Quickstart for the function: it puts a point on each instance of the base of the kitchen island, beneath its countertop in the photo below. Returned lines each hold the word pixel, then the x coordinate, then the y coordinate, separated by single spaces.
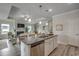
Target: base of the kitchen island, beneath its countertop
pixel 39 48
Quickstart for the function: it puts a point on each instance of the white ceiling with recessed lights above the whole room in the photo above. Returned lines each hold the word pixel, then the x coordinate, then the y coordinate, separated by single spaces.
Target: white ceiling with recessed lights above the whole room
pixel 35 11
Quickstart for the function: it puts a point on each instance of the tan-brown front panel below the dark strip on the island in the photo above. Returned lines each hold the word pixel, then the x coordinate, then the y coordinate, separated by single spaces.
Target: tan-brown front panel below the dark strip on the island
pixel 38 50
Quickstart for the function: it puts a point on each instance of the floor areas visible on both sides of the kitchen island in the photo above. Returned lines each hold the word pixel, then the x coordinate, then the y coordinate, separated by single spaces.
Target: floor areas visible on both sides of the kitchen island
pixel 61 50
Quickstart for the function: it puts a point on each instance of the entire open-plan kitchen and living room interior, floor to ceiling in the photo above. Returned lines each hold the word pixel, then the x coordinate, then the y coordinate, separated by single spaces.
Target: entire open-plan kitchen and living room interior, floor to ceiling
pixel 39 29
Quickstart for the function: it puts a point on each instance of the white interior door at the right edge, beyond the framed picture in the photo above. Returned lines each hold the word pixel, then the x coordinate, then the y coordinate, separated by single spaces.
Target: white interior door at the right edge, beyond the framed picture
pixel 74 32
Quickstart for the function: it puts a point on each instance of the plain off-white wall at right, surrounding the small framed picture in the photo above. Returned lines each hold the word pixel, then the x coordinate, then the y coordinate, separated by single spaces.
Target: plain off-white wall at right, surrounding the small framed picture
pixel 70 22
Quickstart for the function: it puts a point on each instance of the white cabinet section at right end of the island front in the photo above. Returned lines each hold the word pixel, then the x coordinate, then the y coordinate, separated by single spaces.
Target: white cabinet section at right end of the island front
pixel 50 45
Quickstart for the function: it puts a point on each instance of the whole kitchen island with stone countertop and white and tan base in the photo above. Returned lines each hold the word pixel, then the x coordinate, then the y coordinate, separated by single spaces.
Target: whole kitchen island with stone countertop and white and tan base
pixel 38 46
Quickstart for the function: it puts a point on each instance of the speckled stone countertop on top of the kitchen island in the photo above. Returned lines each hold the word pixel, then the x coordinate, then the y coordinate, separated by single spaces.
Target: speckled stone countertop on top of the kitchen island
pixel 32 40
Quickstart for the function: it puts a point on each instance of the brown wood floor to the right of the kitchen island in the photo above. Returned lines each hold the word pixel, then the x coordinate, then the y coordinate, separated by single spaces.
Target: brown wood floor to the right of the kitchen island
pixel 65 50
